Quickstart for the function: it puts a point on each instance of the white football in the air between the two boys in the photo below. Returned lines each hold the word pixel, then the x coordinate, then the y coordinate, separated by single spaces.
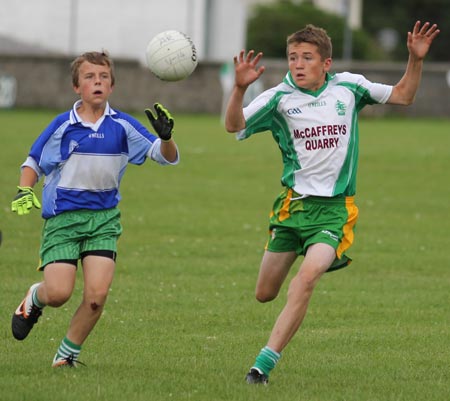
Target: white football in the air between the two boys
pixel 171 56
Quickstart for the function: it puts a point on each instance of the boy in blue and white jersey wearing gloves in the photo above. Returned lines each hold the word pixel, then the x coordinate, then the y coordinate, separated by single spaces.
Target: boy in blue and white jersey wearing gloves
pixel 83 155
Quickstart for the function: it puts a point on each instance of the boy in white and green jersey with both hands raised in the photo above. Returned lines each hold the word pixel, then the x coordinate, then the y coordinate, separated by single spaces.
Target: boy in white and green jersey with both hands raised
pixel 312 115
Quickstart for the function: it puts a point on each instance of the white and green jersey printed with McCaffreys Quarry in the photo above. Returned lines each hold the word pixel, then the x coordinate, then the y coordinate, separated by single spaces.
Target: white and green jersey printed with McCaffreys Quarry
pixel 317 131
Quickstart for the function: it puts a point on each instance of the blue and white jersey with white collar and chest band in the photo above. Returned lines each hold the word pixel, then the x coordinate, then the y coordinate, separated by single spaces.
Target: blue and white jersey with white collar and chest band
pixel 83 163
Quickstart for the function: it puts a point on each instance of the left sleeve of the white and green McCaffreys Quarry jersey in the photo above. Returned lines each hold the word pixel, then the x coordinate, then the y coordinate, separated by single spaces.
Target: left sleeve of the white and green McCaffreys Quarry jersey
pixel 259 114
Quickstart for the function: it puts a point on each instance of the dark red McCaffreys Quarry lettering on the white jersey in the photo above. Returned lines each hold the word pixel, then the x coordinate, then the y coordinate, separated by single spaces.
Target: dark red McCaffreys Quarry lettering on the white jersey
pixel 321 136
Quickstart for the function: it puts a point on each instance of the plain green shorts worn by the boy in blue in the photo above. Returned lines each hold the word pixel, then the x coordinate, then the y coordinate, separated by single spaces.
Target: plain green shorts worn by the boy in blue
pixel 69 234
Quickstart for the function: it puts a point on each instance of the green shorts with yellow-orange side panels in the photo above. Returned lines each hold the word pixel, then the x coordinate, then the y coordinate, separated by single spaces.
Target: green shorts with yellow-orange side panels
pixel 296 223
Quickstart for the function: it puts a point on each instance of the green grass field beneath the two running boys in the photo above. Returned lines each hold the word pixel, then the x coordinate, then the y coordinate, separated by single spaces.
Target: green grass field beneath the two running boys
pixel 181 322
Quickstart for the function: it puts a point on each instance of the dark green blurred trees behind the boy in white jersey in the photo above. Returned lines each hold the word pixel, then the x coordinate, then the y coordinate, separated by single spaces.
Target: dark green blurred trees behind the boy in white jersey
pixel 383 37
